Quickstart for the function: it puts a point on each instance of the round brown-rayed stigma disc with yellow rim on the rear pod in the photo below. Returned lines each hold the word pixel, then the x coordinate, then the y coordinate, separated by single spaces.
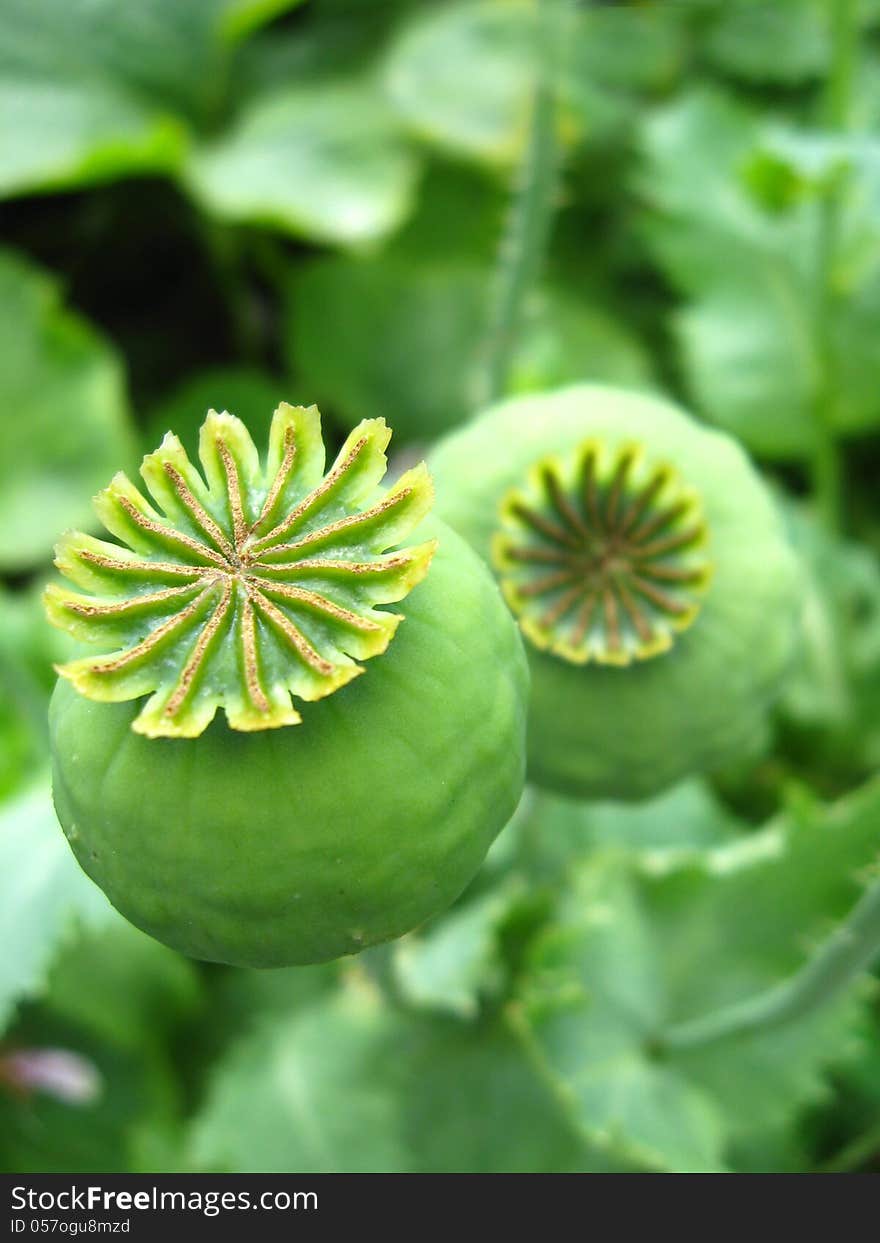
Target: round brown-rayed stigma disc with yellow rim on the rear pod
pixel 603 559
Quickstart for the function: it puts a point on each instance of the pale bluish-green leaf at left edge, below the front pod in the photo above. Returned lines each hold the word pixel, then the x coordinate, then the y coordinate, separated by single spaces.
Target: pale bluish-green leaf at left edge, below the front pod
pixel 45 893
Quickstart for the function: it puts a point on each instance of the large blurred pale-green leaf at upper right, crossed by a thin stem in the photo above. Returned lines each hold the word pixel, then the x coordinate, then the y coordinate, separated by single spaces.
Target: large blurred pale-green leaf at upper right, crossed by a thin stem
pixel 736 218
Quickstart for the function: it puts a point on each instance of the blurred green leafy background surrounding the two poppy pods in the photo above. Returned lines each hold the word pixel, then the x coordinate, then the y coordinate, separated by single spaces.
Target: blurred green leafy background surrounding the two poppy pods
pixel 237 202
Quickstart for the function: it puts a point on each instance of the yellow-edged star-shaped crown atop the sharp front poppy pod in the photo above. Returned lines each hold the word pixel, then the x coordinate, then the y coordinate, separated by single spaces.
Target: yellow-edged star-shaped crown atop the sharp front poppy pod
pixel 244 587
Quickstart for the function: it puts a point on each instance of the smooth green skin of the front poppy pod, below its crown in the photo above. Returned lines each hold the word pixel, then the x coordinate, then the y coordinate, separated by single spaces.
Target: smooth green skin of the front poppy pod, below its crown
pixel 315 841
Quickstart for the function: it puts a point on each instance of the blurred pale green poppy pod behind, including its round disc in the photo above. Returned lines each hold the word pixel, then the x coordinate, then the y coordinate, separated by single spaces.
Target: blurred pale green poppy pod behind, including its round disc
pixel 644 561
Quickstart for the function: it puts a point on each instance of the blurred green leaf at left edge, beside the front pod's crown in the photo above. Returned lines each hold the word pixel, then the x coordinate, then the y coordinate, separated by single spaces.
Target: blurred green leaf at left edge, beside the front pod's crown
pixel 64 428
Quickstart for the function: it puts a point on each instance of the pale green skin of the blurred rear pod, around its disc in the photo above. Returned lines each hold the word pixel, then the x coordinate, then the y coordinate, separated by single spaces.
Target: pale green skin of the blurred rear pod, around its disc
pixel 631 733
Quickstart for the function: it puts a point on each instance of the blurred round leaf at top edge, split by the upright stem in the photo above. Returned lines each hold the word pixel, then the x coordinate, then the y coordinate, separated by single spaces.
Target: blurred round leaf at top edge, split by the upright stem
pixel 463 76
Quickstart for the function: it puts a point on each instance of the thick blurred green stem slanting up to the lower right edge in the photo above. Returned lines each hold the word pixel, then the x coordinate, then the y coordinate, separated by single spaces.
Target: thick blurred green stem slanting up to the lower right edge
pixel 852 949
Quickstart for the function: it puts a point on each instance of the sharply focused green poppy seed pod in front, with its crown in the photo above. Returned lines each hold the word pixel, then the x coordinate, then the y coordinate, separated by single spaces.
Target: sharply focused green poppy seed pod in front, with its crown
pixel 227 770
